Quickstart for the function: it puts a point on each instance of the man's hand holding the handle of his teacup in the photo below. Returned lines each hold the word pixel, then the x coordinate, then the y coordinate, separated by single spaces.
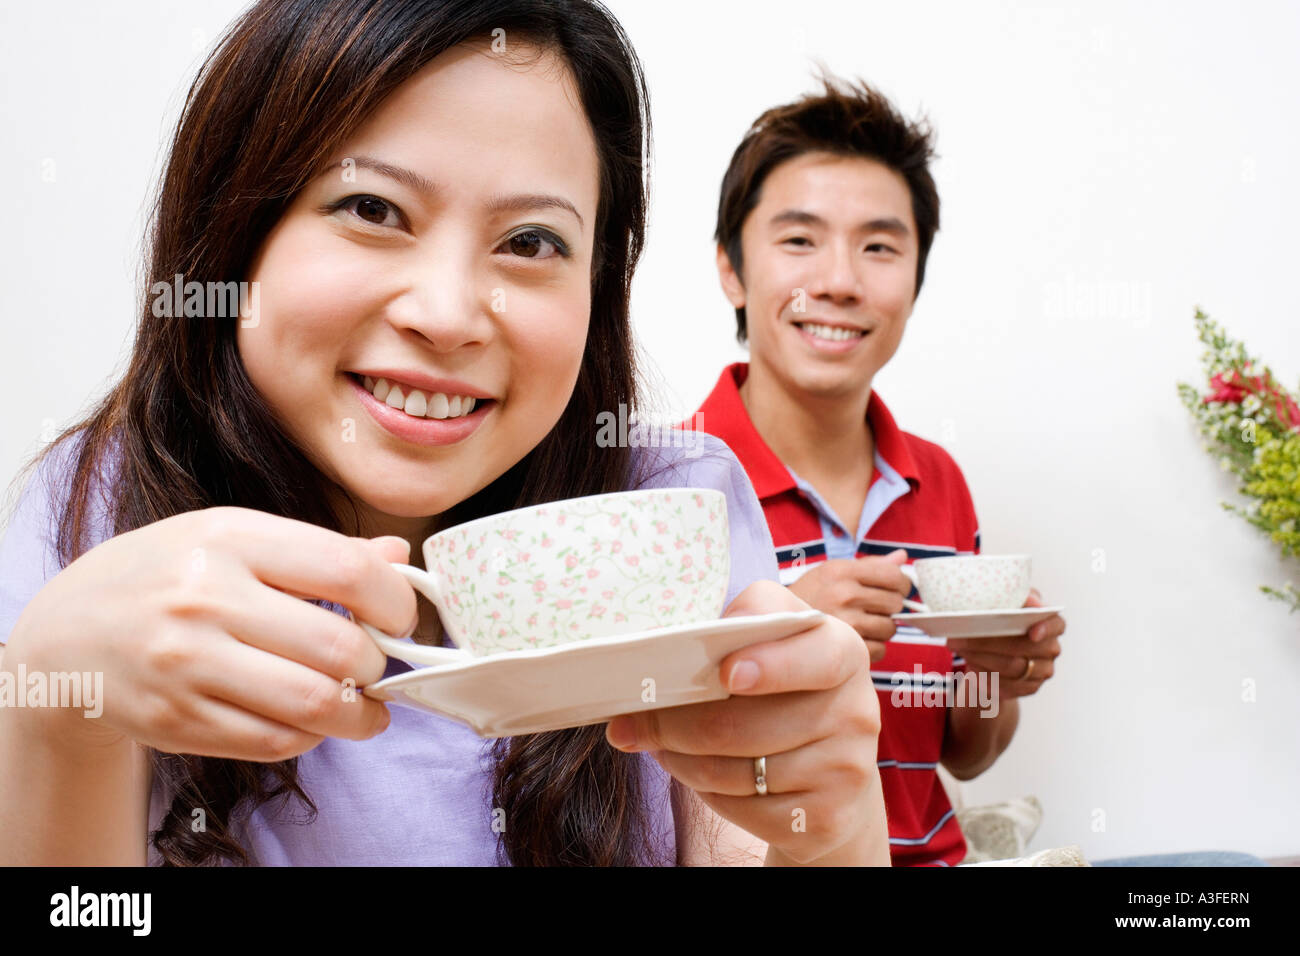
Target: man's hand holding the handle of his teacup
pixel 863 592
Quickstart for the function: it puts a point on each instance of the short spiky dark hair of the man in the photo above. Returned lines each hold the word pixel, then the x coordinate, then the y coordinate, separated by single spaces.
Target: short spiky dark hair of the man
pixel 847 120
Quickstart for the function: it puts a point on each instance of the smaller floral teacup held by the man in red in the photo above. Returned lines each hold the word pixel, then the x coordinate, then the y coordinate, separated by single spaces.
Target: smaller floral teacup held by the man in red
pixel 970 582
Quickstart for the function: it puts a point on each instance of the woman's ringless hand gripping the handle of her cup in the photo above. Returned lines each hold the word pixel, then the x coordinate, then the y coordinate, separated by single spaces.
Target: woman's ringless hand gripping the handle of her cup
pixel 203 642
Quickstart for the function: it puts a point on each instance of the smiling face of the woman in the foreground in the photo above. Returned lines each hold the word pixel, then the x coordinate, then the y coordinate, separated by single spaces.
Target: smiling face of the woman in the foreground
pixel 448 250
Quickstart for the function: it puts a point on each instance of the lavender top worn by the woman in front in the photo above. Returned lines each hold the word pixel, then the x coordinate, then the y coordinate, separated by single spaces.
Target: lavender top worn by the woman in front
pixel 421 793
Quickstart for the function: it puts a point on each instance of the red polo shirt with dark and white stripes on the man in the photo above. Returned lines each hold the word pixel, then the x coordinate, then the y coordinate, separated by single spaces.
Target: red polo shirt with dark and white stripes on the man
pixel 917 500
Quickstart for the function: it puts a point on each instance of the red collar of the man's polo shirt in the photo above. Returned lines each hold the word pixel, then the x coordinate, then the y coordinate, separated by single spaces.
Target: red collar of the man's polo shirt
pixel 725 416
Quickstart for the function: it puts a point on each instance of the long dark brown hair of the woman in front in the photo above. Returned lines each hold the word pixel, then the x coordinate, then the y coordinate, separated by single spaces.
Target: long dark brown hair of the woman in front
pixel 281 93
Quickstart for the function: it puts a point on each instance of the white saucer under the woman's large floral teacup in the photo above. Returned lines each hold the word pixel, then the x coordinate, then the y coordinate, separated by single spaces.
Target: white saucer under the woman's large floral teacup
pixel 590 682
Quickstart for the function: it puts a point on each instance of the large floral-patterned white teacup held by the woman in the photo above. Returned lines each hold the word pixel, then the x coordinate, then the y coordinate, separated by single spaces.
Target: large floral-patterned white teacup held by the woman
pixel 573 570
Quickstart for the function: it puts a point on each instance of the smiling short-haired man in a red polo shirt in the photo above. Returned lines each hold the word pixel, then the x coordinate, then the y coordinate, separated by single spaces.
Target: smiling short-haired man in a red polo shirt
pixel 826 218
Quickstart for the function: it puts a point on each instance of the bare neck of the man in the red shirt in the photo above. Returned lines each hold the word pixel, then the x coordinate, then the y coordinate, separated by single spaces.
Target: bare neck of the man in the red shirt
pixel 813 436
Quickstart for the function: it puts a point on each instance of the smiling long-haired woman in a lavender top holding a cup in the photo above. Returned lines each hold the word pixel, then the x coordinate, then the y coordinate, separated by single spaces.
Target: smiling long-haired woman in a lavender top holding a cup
pixel 434 204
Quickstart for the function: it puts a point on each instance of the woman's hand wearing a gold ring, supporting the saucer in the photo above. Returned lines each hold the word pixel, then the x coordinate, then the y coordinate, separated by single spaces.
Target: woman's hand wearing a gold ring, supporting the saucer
pixel 808 706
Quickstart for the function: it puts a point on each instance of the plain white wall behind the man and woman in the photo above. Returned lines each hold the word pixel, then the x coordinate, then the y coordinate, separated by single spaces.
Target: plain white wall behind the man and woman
pixel 1104 170
